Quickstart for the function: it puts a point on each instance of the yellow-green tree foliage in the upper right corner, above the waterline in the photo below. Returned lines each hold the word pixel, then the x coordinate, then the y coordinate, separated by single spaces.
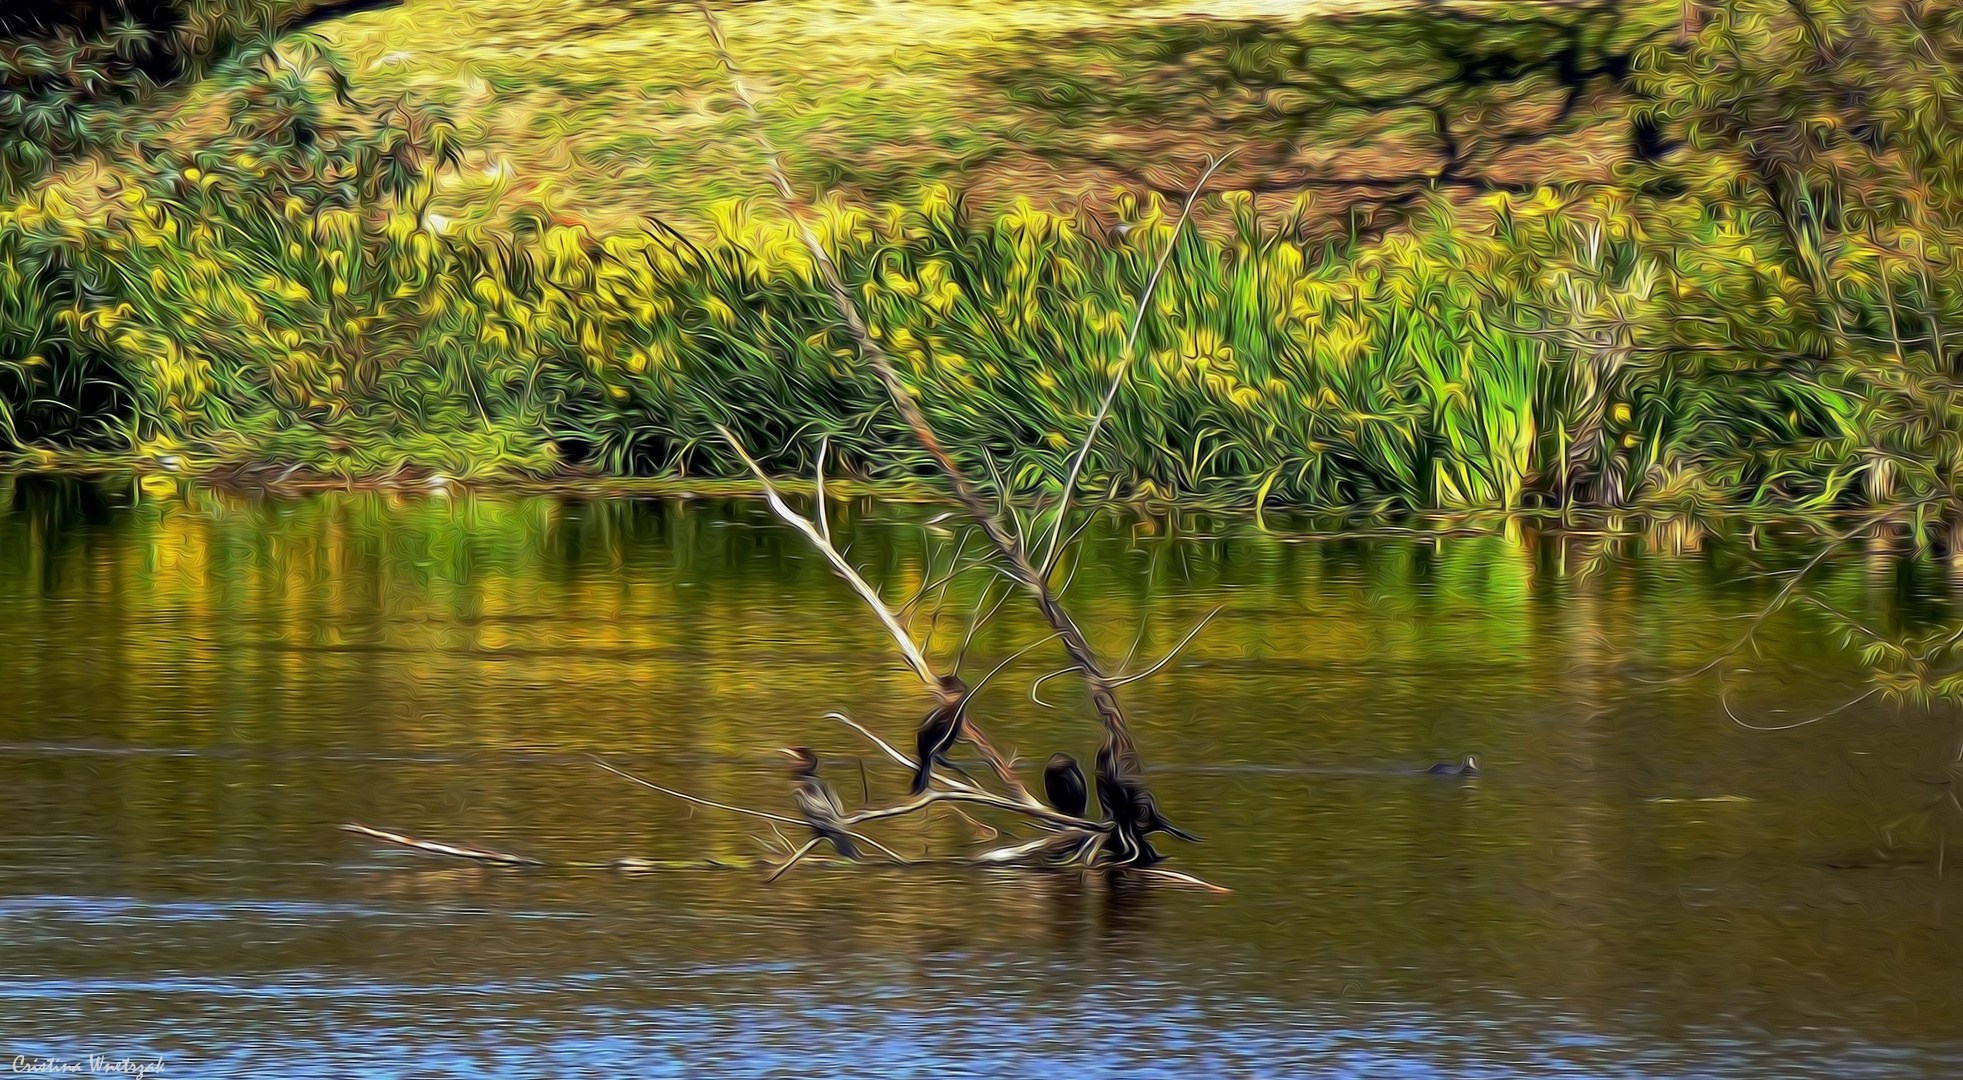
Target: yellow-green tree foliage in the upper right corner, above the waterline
pixel 1830 131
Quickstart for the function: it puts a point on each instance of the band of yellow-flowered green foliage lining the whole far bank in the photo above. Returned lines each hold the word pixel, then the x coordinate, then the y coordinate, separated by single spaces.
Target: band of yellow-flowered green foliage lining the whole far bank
pixel 1760 317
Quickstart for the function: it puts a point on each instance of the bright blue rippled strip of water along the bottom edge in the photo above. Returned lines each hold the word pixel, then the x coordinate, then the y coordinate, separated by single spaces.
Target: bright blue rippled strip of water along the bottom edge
pixel 317 1024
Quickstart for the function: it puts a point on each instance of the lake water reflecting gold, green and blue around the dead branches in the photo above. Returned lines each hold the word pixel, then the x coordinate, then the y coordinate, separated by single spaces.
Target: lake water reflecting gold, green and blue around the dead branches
pixel 197 690
